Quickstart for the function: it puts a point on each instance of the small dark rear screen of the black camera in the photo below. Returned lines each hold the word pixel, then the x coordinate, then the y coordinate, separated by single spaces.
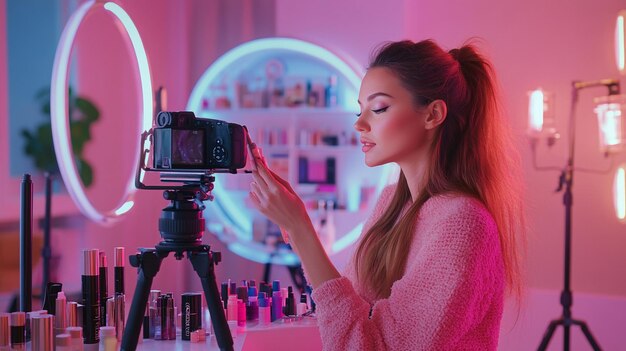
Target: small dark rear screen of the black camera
pixel 187 147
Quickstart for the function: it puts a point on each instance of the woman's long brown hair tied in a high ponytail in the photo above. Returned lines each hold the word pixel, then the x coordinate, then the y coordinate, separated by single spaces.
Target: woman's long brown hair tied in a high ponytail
pixel 471 154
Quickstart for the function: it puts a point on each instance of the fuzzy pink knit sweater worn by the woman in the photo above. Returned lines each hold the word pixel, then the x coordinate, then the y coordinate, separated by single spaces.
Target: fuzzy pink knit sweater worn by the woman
pixel 449 298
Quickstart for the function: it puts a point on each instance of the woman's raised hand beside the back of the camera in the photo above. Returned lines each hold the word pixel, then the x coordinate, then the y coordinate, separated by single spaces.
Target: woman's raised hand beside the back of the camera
pixel 274 197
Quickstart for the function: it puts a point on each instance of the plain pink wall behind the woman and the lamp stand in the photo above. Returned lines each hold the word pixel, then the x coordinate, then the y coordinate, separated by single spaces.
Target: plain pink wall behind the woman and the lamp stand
pixel 548 44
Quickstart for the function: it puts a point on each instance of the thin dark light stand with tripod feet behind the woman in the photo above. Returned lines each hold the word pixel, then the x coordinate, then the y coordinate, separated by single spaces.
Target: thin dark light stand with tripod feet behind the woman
pixel 566 181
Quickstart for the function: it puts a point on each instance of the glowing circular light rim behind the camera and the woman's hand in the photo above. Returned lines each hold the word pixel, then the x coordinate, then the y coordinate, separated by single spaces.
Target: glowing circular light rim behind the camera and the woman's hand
pixel 230 211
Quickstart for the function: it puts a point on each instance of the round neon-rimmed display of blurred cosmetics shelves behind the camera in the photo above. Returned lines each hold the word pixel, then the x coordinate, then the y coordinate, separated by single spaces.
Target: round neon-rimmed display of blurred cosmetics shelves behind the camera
pixel 313 146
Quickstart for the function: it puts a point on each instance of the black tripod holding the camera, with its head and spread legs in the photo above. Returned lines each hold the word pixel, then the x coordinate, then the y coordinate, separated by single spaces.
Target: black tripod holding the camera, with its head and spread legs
pixel 181 226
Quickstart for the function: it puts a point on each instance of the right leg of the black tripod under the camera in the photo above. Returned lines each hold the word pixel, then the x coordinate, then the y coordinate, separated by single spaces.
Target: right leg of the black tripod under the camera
pixel 203 265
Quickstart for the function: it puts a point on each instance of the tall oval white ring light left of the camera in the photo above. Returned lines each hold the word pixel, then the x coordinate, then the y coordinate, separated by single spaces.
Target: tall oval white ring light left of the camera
pixel 59 107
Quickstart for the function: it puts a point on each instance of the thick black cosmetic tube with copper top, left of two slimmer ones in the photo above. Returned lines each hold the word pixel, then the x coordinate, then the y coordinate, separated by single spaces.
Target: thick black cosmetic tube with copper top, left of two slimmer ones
pixel 91 301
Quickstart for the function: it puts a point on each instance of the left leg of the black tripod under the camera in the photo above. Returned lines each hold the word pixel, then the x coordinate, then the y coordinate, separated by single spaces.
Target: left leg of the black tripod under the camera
pixel 148 262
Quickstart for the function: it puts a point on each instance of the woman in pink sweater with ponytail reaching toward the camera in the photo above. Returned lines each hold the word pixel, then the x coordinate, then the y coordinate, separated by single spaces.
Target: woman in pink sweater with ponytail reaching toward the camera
pixel 438 254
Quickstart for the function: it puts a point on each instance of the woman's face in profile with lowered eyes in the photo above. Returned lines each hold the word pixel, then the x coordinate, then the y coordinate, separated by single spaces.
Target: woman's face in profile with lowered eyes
pixel 391 125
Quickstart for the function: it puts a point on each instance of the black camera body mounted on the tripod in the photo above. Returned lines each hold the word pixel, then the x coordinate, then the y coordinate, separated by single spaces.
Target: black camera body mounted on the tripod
pixel 184 142
